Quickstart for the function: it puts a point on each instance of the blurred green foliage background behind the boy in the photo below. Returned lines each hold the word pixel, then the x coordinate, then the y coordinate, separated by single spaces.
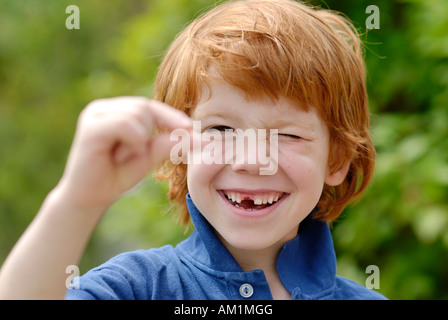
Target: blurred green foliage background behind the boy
pixel 49 73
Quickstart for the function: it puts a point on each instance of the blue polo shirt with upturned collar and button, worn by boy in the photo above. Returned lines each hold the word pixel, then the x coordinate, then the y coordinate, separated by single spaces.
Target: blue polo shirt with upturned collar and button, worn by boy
pixel 201 267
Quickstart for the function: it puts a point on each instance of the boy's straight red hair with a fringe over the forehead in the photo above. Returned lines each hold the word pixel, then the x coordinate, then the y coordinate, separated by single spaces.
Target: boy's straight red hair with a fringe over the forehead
pixel 278 48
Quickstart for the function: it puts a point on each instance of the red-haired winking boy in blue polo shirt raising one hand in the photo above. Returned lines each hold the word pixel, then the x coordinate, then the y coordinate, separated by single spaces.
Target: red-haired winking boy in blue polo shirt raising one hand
pixel 278 66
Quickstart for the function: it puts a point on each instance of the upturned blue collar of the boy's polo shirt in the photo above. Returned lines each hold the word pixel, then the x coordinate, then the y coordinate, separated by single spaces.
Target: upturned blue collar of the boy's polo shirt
pixel 306 263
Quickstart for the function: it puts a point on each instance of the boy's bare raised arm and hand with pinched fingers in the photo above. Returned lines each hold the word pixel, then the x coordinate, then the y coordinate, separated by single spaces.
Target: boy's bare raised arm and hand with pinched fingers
pixel 113 149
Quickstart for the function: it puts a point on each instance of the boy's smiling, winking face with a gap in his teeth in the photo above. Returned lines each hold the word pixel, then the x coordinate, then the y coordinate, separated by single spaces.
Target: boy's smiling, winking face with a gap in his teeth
pixel 216 189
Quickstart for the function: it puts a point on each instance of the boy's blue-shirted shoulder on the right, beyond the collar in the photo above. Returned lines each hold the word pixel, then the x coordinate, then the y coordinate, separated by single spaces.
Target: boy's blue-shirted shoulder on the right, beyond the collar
pixel 346 289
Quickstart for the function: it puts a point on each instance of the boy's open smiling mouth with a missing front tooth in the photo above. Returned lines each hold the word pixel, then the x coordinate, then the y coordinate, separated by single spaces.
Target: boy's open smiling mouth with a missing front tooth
pixel 252 202
